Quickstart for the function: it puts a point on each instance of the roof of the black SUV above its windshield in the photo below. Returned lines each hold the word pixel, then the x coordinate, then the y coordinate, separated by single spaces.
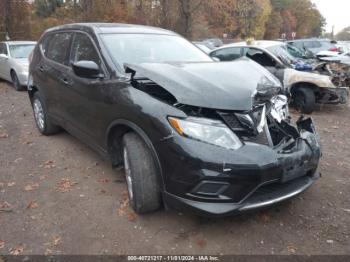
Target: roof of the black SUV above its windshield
pixel 112 28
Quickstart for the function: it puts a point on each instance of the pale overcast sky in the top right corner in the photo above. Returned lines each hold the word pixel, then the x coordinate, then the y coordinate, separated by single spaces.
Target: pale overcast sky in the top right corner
pixel 336 12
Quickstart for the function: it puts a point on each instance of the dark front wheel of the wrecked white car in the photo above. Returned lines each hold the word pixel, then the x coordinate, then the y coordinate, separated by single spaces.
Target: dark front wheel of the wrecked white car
pixel 304 100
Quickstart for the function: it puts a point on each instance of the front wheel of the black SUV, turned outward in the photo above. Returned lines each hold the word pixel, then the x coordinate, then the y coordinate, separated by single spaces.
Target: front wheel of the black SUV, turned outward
pixel 142 176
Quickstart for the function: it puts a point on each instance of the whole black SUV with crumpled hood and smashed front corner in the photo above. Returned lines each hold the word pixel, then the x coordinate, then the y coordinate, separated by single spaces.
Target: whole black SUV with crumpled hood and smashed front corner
pixel 189 131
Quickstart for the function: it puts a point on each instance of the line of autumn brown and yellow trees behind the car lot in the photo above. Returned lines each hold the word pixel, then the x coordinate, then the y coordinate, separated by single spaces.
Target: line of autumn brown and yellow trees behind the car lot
pixel 195 19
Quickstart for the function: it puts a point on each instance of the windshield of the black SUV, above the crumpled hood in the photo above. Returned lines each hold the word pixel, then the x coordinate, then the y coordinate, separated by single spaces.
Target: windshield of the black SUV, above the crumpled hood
pixel 151 48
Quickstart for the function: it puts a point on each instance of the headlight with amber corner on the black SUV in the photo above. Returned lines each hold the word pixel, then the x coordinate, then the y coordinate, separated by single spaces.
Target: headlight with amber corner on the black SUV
pixel 206 130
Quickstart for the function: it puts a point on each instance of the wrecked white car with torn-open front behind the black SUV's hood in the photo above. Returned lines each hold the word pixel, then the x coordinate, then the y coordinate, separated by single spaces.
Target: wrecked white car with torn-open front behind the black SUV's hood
pixel 306 88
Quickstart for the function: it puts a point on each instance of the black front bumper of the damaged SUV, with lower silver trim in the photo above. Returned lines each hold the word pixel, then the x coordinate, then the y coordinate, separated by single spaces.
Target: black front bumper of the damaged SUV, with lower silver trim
pixel 211 182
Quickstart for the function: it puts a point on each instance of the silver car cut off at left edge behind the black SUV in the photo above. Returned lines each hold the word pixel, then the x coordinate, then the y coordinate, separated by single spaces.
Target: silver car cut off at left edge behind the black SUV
pixel 14 62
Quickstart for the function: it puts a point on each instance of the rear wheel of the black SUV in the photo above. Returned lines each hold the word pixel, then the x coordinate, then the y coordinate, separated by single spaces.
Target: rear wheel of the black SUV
pixel 42 119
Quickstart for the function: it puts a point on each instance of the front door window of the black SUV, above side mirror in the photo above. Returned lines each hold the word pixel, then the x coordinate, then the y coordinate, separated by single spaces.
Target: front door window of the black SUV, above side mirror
pixel 84 50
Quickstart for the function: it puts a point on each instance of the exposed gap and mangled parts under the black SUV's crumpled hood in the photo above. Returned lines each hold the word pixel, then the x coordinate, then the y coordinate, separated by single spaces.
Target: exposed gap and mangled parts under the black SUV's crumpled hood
pixel 268 123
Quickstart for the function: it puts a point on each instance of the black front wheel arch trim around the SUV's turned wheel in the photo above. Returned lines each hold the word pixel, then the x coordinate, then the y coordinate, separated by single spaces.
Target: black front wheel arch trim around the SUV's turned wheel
pixel 114 137
